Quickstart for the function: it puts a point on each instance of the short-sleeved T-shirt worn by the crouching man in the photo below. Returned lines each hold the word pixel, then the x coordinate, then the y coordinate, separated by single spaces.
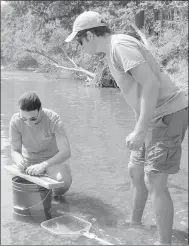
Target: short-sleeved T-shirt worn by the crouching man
pixel 39 143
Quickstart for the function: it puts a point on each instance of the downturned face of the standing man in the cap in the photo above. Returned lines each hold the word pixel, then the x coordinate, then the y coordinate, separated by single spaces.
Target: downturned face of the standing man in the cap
pixel 88 42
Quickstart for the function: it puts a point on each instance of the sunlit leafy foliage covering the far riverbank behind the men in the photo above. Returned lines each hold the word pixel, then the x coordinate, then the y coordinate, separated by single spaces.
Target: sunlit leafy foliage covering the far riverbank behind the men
pixel 44 25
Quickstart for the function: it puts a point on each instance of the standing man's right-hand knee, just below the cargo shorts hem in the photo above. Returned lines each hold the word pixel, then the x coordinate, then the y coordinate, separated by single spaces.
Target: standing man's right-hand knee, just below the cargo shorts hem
pixel 156 183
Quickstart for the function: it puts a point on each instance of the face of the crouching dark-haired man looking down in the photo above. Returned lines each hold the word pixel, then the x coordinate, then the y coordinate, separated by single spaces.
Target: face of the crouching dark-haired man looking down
pixel 29 117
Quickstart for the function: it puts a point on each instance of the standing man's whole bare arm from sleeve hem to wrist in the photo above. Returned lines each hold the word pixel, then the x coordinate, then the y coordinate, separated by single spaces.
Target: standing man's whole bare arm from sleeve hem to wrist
pixel 143 74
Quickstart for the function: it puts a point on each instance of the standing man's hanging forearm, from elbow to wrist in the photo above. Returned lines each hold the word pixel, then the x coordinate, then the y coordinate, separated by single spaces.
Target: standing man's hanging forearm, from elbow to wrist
pixel 147 108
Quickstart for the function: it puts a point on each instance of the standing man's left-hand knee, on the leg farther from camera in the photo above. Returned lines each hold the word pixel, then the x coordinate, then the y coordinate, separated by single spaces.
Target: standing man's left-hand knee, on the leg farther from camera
pixel 136 173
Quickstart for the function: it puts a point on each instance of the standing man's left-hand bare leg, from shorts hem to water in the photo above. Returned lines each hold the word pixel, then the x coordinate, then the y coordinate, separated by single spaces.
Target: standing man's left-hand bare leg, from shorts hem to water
pixel 140 192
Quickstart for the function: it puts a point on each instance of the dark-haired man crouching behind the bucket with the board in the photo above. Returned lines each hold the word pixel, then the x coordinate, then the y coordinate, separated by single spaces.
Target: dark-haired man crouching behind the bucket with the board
pixel 39 143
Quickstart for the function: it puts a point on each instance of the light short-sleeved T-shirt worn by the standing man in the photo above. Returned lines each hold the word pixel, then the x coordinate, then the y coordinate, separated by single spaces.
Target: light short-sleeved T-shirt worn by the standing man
pixel 126 53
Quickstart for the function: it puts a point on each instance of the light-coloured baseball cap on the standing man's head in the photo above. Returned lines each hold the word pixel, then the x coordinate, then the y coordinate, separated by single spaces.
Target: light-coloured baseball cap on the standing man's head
pixel 86 20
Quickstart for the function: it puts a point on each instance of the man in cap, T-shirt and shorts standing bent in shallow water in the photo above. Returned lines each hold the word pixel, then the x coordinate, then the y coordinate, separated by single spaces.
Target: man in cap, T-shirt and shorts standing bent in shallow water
pixel 161 110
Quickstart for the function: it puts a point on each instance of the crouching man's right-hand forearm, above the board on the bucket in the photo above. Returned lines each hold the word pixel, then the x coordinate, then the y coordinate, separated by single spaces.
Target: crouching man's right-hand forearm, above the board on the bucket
pixel 59 158
